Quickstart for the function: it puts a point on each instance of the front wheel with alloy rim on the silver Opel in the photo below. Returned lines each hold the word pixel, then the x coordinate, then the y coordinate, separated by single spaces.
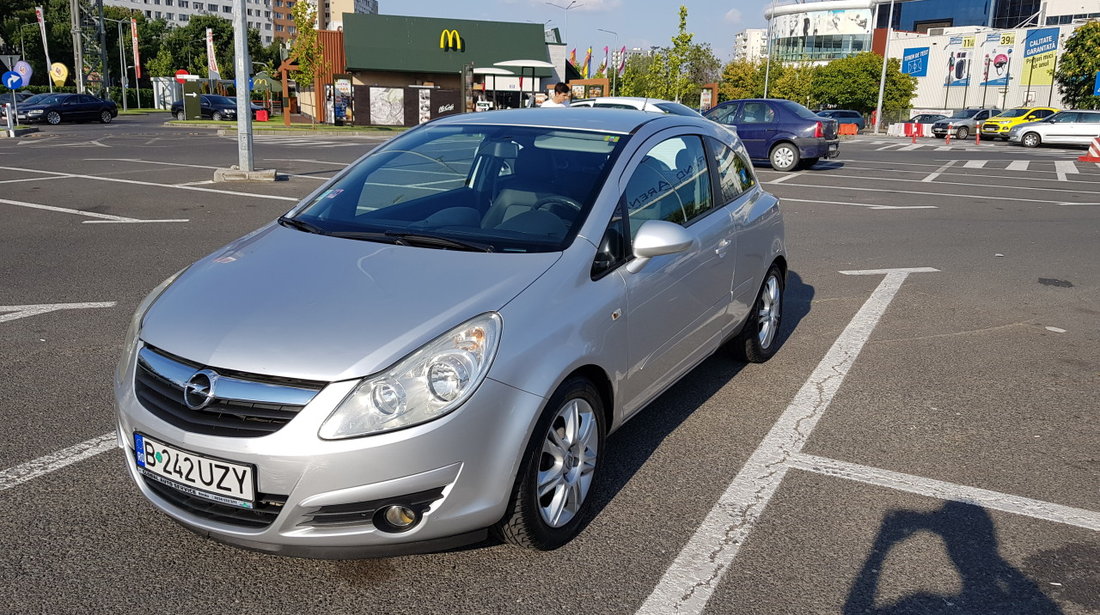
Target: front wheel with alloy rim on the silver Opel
pixel 559 470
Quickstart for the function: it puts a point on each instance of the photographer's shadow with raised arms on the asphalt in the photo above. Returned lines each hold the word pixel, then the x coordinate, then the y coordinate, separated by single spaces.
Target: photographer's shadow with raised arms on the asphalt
pixel 989 585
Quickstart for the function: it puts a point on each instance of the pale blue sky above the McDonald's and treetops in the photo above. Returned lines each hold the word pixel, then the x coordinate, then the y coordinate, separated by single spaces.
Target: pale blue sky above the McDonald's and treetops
pixel 640 24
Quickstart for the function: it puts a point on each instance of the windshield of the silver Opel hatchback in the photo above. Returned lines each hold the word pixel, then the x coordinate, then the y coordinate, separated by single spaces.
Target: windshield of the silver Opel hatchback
pixel 493 188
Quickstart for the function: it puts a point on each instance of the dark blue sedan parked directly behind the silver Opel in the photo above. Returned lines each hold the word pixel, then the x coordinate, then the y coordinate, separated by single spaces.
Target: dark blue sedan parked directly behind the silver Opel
pixel 783 133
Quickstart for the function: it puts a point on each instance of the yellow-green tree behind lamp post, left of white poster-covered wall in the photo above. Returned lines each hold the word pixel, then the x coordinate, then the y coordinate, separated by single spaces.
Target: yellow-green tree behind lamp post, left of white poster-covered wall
pixel 853 83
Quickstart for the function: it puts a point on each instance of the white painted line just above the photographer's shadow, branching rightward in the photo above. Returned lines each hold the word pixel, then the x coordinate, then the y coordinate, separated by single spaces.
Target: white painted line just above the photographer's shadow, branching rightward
pixel 940 490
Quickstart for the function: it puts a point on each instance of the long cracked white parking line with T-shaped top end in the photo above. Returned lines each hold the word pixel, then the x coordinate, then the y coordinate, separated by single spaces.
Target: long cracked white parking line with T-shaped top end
pixel 691 580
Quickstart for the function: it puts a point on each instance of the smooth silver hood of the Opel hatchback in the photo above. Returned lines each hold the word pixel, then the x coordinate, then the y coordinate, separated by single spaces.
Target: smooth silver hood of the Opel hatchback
pixel 292 304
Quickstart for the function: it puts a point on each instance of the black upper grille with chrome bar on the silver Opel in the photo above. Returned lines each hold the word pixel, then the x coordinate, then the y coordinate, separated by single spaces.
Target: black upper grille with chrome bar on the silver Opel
pixel 163 396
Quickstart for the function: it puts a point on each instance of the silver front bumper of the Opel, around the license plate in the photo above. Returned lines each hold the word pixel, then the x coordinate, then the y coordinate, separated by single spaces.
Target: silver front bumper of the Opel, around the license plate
pixel 468 460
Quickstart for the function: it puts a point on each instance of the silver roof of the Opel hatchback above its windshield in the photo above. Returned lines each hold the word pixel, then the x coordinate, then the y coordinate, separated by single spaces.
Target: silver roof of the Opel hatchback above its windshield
pixel 623 122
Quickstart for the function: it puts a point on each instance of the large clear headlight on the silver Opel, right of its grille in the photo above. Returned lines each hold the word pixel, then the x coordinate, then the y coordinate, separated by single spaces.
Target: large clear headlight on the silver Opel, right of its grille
pixel 424 387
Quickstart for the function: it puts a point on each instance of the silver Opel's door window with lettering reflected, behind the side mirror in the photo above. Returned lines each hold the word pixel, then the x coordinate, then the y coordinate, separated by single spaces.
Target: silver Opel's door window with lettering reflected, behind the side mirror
pixel 672 184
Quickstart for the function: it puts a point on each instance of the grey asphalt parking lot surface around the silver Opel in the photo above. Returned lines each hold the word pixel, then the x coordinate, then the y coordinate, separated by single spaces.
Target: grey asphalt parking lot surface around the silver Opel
pixel 927 441
